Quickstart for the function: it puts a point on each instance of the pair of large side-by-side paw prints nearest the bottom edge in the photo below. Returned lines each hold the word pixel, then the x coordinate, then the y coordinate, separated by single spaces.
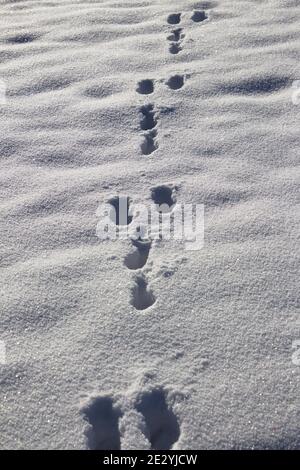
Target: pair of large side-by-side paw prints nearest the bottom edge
pixel 157 422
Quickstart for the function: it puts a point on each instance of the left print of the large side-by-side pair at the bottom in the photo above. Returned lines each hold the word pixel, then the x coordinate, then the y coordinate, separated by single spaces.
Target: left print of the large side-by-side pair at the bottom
pixel 104 431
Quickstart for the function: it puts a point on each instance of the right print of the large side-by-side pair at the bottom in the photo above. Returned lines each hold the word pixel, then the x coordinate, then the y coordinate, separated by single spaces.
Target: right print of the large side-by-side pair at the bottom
pixel 162 425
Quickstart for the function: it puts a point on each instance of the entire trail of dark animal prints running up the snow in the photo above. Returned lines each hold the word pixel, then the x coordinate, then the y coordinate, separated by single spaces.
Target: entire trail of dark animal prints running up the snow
pixel 161 424
